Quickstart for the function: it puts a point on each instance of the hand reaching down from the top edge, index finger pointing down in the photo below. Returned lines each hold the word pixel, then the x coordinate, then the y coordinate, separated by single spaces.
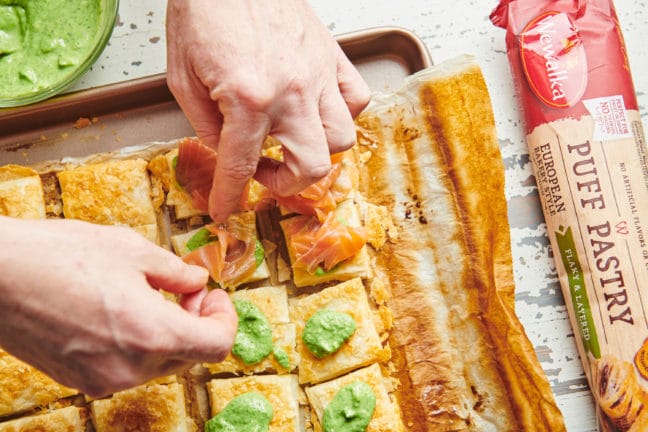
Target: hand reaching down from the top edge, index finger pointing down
pixel 242 70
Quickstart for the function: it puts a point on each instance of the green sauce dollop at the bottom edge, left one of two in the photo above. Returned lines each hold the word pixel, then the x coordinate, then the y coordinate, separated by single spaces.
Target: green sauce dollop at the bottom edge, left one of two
pixel 249 412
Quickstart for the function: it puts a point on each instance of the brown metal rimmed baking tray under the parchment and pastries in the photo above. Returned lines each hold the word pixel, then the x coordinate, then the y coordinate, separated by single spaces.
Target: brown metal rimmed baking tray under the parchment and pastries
pixel 143 110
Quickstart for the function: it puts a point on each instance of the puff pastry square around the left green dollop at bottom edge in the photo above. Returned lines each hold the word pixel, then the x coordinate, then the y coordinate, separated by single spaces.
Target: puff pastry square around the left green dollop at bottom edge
pixel 282 391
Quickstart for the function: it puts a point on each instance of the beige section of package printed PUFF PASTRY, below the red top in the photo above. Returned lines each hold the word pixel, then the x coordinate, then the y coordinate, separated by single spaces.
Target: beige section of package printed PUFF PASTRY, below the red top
pixel 592 191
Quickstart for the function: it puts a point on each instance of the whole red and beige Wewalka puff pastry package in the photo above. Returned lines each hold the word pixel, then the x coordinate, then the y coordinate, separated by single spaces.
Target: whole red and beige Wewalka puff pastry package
pixel 586 143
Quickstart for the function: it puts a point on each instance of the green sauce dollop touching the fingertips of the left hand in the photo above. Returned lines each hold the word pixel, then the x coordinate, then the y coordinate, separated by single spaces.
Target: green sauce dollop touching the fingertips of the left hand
pixel 253 340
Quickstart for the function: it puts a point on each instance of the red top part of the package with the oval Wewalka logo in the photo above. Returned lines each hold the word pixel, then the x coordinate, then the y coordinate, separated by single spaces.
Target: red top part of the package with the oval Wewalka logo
pixel 592 64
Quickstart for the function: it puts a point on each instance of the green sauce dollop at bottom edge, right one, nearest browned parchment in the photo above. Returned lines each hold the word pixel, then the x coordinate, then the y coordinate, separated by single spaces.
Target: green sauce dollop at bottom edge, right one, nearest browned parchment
pixel 351 409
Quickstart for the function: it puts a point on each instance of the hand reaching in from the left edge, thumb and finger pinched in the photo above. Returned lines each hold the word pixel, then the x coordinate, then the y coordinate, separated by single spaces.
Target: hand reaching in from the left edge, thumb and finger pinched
pixel 77 302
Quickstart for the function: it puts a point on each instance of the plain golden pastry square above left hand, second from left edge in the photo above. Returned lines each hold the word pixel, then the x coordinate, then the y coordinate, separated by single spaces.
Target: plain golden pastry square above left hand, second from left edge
pixel 117 192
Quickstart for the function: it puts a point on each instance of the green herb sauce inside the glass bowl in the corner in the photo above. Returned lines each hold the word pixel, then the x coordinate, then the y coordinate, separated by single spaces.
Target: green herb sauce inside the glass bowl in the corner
pixel 43 41
